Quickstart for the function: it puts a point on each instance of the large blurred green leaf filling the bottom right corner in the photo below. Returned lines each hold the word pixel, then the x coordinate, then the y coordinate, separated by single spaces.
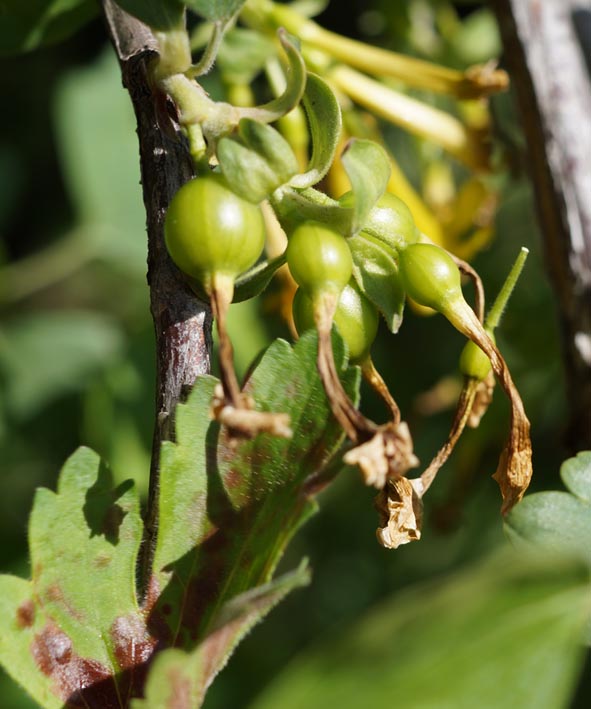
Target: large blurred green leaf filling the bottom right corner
pixel 508 631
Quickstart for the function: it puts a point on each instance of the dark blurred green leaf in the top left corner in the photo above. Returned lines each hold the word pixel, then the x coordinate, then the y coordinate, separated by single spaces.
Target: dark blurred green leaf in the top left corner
pixel 28 25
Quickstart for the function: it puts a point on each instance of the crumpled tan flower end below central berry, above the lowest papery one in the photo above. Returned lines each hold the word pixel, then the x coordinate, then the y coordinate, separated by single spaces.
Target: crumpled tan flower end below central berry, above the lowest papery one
pixel 388 454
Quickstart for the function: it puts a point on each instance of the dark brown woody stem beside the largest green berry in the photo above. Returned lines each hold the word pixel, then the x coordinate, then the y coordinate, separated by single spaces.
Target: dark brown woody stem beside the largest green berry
pixel 182 323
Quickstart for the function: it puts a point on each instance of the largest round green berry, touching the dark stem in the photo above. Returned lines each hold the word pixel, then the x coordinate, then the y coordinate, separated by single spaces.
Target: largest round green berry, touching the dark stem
pixel 211 230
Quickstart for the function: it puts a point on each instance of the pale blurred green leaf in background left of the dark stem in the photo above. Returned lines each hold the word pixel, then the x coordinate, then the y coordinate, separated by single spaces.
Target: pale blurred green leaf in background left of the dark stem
pixel 95 128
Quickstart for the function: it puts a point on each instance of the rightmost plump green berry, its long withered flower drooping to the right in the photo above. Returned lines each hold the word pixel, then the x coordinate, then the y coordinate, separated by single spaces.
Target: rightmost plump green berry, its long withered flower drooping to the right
pixel 430 277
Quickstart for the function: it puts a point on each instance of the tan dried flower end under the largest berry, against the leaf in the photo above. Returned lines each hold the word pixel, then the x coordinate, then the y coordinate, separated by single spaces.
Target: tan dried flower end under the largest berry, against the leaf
pixel 244 420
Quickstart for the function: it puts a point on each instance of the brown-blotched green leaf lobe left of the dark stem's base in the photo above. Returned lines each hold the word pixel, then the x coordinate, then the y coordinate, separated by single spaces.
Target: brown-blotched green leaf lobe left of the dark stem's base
pixel 77 625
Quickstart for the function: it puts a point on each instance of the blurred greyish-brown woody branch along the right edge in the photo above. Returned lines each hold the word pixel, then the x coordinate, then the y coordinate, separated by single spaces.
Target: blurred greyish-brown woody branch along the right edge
pixel 547 62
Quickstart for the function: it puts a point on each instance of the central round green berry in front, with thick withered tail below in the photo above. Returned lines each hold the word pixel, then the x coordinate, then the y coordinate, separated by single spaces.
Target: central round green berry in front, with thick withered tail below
pixel 319 258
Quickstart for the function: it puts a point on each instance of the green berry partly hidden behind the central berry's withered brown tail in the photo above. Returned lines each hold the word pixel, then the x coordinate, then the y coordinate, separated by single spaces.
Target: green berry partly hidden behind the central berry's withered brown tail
pixel 355 318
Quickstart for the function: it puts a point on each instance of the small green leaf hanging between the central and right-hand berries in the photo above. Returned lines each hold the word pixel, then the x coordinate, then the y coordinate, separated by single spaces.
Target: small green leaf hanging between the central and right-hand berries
pixel 376 274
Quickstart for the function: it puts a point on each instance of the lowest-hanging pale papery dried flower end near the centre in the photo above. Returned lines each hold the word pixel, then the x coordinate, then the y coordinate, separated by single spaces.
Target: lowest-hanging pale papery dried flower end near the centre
pixel 401 513
